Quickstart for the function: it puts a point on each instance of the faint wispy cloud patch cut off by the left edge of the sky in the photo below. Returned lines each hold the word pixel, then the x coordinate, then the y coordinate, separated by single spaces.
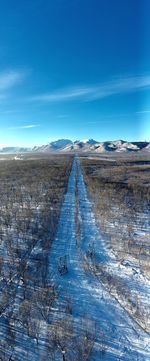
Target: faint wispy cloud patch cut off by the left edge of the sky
pixel 9 79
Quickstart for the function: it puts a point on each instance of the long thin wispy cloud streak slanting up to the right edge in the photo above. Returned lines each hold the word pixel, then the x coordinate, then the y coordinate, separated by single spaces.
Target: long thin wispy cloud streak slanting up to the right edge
pixel 91 93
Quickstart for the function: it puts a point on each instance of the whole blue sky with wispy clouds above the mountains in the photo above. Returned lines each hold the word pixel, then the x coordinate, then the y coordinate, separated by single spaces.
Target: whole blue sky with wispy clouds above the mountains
pixel 75 69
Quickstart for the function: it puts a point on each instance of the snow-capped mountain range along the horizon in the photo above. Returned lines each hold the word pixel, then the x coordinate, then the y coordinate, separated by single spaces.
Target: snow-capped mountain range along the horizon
pixel 89 145
